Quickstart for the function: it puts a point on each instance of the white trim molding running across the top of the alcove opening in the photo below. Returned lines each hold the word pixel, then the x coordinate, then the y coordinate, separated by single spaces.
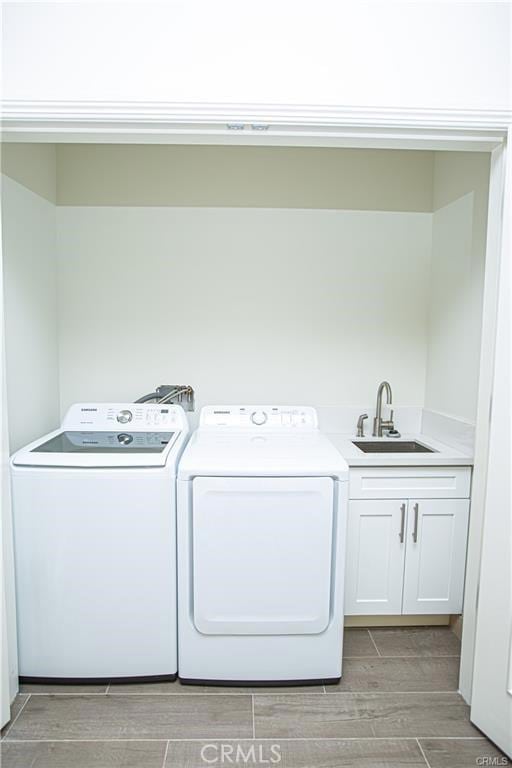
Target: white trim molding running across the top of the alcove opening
pixel 257 124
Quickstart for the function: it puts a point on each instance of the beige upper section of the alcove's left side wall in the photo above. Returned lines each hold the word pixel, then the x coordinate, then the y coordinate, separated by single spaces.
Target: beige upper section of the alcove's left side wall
pixel 32 165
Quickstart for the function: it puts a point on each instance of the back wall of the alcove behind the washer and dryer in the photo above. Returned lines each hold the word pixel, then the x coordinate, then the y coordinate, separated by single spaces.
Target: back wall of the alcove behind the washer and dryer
pixel 299 294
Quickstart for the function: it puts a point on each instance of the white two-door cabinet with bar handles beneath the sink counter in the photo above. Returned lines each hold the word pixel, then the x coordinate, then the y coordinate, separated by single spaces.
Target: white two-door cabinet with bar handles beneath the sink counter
pixel 406 555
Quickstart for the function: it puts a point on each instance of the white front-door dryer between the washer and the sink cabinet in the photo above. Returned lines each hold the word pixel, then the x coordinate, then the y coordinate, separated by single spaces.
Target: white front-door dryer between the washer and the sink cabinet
pixel 262 509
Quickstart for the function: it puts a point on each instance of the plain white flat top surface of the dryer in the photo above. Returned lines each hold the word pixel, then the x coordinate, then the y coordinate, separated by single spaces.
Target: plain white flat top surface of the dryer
pixel 226 453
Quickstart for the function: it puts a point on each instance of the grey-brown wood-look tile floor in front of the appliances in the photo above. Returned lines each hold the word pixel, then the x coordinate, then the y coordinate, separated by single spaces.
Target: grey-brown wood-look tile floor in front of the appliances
pixel 396 706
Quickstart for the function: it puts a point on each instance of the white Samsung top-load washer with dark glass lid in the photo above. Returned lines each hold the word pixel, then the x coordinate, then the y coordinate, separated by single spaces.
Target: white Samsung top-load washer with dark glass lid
pixel 94 509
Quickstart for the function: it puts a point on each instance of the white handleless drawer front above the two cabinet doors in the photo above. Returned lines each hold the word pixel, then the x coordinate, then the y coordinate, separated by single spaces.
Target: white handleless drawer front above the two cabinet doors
pixel 420 482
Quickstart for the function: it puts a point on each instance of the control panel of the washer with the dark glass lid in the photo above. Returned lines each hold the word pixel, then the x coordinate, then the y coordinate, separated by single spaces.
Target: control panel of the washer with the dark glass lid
pixel 125 417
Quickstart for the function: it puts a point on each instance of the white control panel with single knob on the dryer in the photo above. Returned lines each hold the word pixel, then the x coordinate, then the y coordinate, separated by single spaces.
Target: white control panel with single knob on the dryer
pixel 270 417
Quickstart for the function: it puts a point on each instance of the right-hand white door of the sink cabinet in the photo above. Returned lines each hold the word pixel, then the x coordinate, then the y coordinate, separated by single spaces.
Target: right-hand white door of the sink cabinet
pixel 436 555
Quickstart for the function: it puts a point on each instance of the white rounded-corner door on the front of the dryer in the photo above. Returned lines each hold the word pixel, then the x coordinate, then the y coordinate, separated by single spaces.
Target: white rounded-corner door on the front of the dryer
pixel 262 555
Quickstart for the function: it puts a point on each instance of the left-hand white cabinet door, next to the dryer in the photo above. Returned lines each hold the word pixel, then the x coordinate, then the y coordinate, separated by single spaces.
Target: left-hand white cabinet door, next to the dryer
pixel 375 556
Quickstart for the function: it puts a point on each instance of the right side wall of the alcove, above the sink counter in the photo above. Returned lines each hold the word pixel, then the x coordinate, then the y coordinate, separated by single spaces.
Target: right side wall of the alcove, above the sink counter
pixel 459 228
